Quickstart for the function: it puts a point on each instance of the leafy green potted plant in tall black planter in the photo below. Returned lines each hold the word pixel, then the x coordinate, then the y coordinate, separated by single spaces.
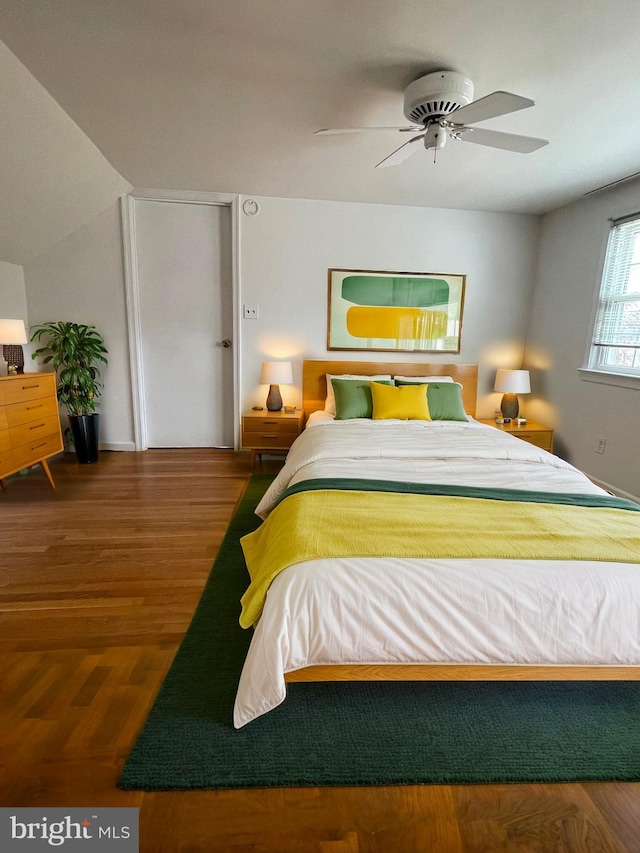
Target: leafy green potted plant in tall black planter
pixel 75 352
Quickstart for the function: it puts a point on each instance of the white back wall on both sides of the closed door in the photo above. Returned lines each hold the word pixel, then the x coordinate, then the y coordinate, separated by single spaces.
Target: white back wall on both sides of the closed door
pixel 285 252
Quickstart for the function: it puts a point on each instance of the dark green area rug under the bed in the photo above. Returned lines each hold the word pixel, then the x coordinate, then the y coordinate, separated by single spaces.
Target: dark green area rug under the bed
pixel 366 733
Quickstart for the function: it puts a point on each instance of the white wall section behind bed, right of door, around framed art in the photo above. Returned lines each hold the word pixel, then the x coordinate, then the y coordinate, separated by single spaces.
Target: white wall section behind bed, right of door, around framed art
pixel 289 246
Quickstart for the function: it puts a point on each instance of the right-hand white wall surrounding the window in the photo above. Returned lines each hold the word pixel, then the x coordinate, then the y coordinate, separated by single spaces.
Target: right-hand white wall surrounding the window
pixel 573 242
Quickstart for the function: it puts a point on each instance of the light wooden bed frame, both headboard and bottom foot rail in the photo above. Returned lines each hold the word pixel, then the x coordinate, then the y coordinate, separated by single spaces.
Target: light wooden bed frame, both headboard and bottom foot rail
pixel 314 389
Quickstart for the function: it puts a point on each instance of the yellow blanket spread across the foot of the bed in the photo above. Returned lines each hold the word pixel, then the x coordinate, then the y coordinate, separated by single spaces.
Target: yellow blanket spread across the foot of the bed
pixel 330 523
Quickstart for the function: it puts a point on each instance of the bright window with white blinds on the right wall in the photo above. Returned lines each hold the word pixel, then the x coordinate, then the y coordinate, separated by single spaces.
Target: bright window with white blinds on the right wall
pixel 616 337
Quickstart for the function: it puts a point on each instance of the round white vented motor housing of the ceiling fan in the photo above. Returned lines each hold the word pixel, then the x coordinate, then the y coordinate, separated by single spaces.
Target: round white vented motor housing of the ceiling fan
pixel 436 95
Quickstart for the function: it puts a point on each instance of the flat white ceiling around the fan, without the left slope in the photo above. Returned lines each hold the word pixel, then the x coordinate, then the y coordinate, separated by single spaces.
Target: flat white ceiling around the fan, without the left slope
pixel 224 95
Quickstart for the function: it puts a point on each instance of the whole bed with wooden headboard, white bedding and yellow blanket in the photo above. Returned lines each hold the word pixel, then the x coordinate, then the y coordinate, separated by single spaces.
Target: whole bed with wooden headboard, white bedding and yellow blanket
pixel 481 557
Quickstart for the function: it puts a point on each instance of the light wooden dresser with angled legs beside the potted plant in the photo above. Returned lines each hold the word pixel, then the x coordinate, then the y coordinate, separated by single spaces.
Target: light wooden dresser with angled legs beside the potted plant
pixel 29 423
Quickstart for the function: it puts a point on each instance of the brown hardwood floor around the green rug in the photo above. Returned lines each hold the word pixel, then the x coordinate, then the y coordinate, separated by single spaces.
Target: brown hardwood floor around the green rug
pixel 99 579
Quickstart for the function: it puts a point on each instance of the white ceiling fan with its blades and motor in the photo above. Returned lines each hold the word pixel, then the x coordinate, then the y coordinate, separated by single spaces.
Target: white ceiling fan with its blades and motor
pixel 441 106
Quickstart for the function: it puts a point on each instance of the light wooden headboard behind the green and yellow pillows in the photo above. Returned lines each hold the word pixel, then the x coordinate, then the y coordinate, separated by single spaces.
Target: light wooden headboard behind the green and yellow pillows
pixel 314 382
